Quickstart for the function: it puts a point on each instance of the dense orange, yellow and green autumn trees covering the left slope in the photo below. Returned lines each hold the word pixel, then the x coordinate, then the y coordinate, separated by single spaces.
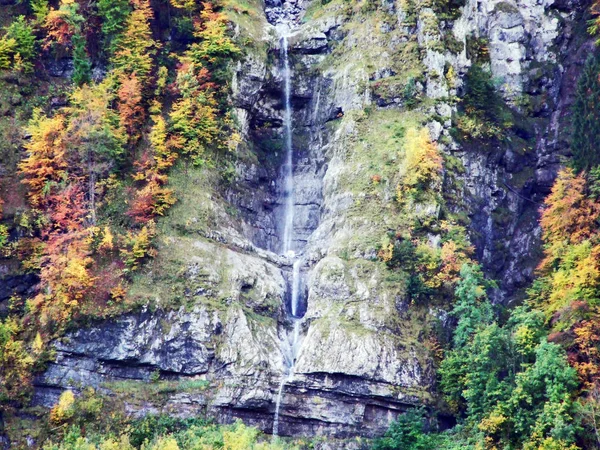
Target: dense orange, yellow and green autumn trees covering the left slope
pixel 96 162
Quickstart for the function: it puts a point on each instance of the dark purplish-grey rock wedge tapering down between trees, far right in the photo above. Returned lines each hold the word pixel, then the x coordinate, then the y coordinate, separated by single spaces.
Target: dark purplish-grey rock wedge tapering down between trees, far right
pixel 534 55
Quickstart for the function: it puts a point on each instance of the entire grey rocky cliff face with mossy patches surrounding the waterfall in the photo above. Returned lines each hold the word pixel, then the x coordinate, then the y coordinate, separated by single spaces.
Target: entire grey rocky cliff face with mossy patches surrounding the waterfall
pixel 217 297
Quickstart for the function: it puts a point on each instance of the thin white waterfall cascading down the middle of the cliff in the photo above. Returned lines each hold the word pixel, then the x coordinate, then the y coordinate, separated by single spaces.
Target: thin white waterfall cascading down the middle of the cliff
pixel 292 341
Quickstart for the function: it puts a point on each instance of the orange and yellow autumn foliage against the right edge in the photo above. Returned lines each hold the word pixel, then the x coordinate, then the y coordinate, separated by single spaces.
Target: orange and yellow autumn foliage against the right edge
pixel 571 269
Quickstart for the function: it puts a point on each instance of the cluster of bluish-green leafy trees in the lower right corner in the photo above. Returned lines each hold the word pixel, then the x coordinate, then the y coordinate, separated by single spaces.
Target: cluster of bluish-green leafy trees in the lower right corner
pixel 510 384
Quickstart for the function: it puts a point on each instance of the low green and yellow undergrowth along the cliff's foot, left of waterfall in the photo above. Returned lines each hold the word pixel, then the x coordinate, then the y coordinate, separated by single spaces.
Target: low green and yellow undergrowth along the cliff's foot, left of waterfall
pixel 94 421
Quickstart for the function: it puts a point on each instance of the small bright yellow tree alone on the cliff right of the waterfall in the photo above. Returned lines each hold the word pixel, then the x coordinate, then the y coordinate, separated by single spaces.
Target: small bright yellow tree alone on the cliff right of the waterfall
pixel 422 165
